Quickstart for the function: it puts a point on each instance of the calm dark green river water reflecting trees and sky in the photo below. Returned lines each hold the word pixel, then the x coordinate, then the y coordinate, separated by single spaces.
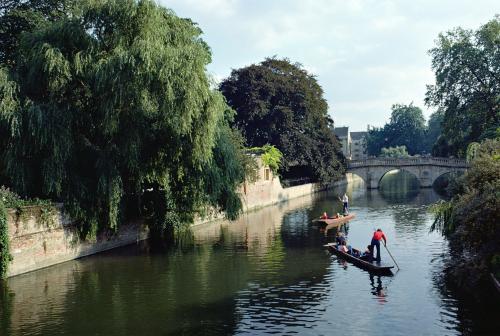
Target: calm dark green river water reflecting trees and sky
pixel 266 273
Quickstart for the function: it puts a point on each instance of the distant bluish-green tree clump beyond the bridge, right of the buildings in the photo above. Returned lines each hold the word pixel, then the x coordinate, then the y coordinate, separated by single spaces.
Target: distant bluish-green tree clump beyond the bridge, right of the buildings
pixel 406 128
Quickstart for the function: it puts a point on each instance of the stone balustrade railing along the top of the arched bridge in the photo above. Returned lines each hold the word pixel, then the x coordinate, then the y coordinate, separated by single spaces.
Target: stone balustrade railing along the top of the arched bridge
pixel 412 161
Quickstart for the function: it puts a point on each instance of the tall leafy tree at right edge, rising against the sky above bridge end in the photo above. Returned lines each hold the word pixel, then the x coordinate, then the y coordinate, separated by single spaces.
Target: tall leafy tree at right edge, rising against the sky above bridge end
pixel 467 69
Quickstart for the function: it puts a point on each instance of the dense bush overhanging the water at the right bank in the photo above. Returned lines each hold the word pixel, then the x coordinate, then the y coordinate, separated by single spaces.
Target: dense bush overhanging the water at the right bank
pixel 470 219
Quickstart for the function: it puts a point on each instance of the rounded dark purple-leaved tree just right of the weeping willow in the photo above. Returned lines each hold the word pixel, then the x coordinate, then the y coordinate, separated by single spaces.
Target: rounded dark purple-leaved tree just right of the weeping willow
pixel 279 103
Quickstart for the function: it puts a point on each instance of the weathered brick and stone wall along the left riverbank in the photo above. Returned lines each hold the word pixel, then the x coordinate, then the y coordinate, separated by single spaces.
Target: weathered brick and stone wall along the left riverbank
pixel 38 241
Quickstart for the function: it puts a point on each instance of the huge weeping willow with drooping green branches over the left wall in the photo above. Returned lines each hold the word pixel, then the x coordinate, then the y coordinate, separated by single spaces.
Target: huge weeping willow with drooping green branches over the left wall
pixel 110 111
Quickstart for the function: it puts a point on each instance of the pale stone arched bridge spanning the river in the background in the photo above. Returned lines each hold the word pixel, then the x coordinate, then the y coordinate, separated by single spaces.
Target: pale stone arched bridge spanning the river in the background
pixel 426 169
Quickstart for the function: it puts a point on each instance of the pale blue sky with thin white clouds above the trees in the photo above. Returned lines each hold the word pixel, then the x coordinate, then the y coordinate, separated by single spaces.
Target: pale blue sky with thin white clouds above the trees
pixel 367 55
